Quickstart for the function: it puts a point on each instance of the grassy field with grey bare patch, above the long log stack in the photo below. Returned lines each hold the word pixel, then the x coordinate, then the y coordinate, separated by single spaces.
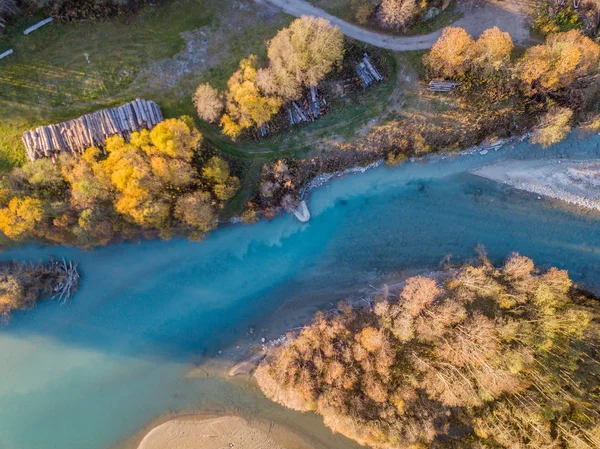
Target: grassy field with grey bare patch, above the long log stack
pixel 64 70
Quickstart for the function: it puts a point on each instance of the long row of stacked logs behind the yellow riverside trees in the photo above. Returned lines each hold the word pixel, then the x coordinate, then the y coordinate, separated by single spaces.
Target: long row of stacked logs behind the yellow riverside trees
pixel 90 130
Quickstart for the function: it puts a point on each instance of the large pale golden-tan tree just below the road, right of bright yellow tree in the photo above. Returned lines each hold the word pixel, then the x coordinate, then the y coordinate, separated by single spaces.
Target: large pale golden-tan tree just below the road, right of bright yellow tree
pixel 302 54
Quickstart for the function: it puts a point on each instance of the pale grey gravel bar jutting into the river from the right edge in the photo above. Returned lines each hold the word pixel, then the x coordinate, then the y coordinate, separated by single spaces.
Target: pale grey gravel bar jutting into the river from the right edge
pixel 575 182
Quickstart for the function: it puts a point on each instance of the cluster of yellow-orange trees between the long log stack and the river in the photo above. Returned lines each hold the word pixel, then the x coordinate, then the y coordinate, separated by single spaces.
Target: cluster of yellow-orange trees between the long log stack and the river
pixel 150 184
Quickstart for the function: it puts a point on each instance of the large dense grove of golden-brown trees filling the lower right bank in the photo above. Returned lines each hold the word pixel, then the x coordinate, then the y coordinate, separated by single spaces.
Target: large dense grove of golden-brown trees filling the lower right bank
pixel 485 358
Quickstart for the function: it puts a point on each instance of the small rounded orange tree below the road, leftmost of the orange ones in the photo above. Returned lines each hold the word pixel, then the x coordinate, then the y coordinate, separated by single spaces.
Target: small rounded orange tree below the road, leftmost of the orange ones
pixel 449 56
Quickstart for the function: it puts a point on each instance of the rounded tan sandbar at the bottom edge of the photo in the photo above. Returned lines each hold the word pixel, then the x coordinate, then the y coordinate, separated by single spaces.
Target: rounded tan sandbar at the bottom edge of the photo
pixel 197 432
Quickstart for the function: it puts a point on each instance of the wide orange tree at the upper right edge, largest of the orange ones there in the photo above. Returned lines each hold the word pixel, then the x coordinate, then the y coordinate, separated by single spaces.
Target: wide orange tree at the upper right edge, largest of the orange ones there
pixel 554 65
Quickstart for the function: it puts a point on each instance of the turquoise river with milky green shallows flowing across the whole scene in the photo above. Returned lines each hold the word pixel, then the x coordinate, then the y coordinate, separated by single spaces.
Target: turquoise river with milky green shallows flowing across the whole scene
pixel 92 373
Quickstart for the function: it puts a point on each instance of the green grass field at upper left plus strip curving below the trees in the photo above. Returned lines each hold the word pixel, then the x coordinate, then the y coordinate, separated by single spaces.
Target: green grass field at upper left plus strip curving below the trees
pixel 64 70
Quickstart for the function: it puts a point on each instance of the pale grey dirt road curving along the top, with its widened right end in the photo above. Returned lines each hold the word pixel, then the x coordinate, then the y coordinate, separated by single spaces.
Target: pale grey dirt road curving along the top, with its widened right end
pixel 508 15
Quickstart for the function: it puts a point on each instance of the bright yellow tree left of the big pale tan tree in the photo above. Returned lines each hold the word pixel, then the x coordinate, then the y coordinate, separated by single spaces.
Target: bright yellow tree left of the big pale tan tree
pixel 246 105
